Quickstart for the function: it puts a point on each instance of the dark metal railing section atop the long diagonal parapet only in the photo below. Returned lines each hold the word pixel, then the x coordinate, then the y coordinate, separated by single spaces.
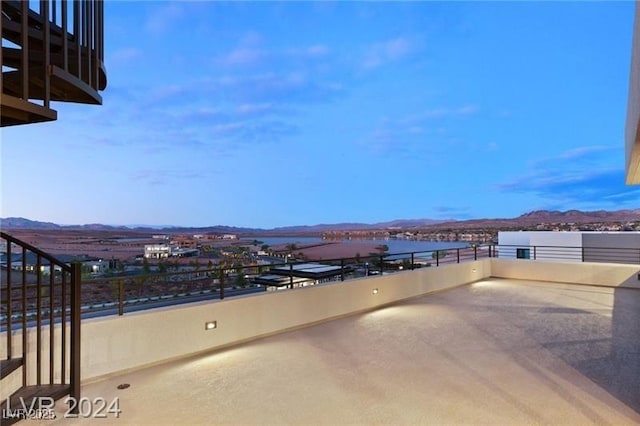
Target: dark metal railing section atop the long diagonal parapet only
pixel 127 293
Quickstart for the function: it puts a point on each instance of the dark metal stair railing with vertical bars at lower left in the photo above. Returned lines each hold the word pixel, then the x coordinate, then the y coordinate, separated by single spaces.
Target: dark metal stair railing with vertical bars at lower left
pixel 34 301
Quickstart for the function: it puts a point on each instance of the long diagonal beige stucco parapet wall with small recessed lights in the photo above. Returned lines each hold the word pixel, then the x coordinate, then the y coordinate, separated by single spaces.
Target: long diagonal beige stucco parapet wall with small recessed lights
pixel 117 344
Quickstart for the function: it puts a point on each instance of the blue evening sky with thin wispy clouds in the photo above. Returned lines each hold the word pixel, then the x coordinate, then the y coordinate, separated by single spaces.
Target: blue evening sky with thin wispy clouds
pixel 272 114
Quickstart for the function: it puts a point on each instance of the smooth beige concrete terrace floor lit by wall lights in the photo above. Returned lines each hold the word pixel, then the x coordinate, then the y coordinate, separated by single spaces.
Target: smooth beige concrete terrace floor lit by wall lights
pixel 499 352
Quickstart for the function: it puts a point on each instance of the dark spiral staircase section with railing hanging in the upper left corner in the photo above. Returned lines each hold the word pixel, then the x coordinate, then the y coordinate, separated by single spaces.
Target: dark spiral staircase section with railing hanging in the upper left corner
pixel 54 52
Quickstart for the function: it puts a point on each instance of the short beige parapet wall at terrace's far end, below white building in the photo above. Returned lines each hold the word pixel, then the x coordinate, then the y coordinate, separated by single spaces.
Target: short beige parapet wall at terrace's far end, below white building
pixel 588 273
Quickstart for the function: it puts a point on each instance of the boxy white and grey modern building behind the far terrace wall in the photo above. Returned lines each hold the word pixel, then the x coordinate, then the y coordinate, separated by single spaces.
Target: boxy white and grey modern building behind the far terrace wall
pixel 586 246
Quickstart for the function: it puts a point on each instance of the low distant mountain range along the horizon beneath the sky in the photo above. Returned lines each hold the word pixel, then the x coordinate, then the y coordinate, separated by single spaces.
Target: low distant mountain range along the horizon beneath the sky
pixel 527 219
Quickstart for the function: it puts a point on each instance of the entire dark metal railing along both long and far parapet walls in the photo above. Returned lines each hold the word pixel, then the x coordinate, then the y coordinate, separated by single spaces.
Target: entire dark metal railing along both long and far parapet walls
pixel 127 293
